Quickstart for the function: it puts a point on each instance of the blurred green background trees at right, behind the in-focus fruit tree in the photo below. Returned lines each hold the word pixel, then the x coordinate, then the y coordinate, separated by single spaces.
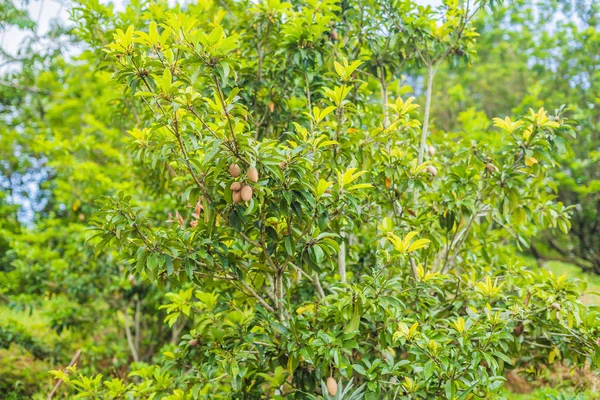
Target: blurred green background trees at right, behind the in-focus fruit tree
pixel 547 56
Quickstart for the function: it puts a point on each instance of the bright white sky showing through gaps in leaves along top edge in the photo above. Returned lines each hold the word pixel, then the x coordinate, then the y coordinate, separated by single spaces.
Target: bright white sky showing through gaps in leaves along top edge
pixel 45 11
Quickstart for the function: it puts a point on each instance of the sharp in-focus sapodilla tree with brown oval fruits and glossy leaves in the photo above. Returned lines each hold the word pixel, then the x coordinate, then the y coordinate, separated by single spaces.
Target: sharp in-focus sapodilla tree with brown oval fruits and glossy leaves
pixel 434 294
